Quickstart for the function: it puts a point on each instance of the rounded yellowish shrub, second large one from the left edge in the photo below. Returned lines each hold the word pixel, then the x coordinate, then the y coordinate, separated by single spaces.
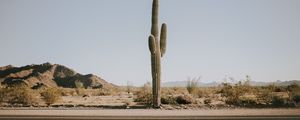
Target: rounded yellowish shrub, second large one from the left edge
pixel 51 95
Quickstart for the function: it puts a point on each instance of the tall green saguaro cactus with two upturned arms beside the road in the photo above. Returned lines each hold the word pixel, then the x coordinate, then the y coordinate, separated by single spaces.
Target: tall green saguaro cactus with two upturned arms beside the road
pixel 157 46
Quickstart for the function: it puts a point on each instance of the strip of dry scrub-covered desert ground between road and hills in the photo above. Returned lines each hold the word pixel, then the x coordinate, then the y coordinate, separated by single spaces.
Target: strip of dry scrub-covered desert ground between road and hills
pixel 240 94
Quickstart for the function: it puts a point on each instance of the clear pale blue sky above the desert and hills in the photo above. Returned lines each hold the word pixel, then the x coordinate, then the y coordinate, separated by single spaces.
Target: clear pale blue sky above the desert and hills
pixel 208 38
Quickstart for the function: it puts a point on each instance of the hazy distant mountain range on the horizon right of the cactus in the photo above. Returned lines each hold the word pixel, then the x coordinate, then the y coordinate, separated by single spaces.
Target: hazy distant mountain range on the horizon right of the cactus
pixel 214 84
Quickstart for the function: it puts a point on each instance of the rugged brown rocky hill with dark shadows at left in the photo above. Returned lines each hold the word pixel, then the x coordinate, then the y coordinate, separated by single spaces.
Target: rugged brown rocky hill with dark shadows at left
pixel 50 75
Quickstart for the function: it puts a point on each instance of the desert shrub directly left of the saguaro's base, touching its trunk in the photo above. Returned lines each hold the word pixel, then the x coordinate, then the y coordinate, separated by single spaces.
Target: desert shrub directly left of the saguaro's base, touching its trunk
pixel 144 95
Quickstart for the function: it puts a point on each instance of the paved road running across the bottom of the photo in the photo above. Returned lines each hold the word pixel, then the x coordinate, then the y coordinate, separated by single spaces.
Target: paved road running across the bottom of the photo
pixel 262 114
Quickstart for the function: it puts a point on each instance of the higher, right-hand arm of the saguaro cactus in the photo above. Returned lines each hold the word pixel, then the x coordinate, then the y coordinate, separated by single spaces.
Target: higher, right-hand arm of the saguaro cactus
pixel 163 39
